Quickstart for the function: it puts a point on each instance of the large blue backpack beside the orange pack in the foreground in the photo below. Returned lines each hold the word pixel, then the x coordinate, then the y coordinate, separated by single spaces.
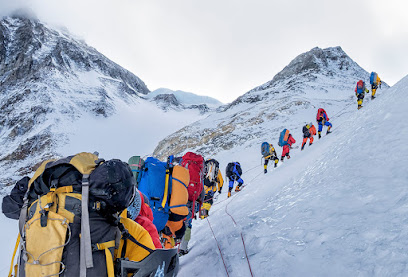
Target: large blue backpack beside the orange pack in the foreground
pixel 152 184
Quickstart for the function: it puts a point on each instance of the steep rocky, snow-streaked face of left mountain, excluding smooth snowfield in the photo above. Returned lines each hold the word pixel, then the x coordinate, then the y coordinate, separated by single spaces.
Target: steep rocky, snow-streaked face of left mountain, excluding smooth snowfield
pixel 50 80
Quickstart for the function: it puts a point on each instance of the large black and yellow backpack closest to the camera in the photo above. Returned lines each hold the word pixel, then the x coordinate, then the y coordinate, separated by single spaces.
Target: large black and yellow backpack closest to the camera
pixel 71 204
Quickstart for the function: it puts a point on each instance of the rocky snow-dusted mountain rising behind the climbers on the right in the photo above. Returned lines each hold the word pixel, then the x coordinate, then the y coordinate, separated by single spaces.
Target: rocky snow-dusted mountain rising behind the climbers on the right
pixel 320 77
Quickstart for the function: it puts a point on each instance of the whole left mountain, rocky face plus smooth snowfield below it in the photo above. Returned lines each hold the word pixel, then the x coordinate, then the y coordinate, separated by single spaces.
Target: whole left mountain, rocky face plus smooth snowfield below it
pixel 55 89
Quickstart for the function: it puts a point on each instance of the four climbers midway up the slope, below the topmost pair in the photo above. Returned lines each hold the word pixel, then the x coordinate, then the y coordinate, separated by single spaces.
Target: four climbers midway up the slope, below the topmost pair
pixel 286 139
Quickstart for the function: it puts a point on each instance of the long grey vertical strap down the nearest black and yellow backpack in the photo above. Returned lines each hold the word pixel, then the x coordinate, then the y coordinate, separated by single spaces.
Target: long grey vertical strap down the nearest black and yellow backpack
pixel 86 248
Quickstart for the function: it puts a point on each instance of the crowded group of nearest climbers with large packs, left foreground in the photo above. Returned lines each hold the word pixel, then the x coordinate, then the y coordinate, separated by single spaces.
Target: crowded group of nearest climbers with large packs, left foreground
pixel 84 216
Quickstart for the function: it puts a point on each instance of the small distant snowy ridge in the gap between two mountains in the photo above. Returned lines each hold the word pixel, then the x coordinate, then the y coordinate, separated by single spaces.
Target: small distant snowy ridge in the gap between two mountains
pixel 186 98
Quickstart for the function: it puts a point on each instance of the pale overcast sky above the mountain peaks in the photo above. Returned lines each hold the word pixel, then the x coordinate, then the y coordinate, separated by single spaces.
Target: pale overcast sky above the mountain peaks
pixel 223 48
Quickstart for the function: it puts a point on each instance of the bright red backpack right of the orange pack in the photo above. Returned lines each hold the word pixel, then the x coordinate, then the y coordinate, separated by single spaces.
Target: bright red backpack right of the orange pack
pixel 195 164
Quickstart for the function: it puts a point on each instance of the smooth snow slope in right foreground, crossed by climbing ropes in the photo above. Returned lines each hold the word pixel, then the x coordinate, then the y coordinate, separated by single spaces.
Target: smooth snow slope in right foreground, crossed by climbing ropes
pixel 338 208
